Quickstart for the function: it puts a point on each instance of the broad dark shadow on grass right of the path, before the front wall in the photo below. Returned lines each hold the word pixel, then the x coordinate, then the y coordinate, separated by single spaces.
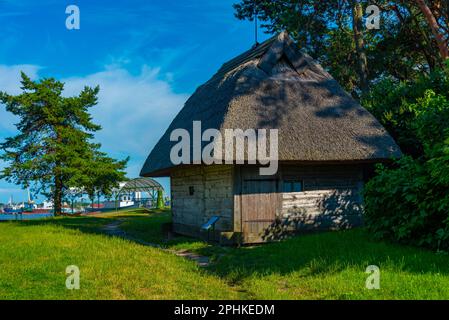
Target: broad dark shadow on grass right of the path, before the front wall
pixel 328 252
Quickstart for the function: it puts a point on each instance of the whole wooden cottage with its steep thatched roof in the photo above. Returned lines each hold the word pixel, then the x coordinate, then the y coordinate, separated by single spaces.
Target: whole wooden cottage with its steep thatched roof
pixel 326 144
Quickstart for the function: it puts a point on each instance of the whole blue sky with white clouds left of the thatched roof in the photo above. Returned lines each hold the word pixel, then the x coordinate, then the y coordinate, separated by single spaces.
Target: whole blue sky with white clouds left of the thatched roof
pixel 147 56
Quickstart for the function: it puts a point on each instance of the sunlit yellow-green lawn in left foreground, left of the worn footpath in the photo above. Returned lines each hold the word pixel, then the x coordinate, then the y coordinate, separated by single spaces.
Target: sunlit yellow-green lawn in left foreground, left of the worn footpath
pixel 34 256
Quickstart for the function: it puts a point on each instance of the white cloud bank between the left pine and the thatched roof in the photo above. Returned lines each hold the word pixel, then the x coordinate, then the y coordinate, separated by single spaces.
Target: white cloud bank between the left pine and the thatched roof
pixel 133 110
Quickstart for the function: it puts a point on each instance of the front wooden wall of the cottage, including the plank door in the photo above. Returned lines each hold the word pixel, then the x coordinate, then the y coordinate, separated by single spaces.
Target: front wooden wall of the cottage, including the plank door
pixel 331 199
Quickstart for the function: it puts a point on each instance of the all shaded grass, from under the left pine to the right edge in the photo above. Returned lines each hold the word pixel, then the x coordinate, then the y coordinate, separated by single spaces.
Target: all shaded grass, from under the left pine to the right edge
pixel 311 254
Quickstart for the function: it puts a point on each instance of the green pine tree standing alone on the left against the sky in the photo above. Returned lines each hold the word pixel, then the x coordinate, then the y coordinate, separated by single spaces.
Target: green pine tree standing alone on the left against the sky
pixel 53 152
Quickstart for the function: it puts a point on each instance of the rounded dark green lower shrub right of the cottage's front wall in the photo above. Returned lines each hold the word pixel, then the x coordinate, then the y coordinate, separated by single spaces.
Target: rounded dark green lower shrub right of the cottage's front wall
pixel 404 204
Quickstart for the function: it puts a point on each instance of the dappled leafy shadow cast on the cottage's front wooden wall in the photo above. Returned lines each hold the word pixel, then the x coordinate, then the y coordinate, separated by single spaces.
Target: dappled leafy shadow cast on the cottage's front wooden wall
pixel 336 211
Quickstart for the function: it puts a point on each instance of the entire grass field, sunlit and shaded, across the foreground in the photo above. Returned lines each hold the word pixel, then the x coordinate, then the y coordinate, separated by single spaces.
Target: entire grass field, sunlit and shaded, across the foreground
pixel 35 254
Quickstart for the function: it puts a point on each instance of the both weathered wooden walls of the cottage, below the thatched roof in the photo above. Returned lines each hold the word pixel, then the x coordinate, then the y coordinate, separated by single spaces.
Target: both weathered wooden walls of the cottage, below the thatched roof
pixel 256 208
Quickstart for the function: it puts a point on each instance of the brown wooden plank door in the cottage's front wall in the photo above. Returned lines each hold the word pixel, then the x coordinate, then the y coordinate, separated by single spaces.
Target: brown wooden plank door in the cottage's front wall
pixel 259 206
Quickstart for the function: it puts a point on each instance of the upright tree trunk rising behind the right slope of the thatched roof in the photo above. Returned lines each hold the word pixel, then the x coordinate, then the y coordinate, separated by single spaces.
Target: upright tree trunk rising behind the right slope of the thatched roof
pixel 362 63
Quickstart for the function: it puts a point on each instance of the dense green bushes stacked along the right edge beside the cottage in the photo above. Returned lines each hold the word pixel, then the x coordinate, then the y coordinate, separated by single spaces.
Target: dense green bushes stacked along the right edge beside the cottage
pixel 409 202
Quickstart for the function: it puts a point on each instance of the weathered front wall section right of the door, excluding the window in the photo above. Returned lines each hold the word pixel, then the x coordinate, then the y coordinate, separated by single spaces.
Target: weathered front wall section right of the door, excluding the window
pixel 332 197
